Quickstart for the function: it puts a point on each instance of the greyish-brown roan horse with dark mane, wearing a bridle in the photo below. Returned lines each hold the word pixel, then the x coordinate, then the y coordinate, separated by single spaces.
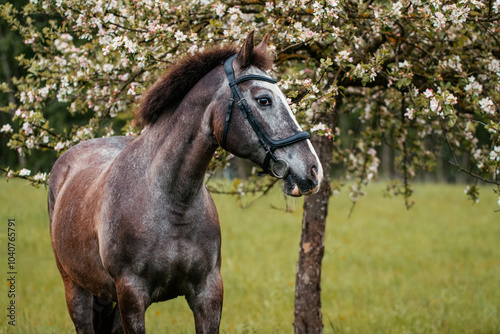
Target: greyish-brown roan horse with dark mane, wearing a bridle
pixel 131 221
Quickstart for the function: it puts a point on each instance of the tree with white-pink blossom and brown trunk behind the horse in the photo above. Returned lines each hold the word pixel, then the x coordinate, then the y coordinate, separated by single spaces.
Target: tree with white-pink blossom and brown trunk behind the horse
pixel 417 75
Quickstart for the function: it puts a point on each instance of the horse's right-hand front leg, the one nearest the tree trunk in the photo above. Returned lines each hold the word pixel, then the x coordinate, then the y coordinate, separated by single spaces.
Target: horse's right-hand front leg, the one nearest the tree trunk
pixel 206 304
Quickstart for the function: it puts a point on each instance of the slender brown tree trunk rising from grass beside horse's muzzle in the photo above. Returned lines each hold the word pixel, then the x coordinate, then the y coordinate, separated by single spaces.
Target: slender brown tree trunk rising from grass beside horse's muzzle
pixel 308 317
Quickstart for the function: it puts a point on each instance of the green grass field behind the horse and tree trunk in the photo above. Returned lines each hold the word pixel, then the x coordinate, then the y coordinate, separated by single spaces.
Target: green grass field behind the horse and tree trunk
pixel 433 269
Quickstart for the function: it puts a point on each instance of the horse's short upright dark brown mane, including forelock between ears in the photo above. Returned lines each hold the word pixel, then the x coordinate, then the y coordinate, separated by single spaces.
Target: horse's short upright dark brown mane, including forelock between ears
pixel 182 76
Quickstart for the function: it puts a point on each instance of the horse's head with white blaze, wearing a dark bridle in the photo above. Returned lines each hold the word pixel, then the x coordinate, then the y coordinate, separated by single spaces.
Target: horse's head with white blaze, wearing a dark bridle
pixel 259 125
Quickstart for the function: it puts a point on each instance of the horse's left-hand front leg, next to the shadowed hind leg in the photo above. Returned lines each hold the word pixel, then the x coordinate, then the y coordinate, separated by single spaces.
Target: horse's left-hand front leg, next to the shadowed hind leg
pixel 132 302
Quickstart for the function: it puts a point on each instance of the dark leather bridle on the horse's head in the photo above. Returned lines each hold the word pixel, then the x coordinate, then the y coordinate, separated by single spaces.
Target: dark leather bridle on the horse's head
pixel 273 165
